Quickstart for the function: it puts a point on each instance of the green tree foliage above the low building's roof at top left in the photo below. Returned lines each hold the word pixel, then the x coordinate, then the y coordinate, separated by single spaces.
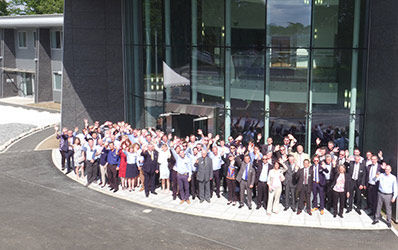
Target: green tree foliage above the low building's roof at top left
pixel 32 7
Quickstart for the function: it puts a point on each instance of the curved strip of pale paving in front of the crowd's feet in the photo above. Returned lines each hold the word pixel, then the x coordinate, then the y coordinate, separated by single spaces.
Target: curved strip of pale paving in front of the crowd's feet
pixel 219 209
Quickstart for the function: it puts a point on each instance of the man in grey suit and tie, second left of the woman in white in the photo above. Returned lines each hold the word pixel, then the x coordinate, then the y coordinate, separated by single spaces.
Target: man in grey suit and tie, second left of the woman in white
pixel 246 178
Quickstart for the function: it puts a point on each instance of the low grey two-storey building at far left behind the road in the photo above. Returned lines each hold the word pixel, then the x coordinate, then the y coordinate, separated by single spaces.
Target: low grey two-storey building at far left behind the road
pixel 31 57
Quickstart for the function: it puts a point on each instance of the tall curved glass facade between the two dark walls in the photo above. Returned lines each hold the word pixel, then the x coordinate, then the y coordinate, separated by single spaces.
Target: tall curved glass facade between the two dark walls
pixel 279 67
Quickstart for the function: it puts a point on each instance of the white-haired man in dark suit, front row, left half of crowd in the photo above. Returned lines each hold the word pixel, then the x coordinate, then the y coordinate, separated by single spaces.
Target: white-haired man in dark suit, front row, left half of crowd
pixel 150 167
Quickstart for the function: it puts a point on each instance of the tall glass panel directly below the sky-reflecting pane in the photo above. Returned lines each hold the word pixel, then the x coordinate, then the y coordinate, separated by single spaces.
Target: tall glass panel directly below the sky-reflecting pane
pixel 288 93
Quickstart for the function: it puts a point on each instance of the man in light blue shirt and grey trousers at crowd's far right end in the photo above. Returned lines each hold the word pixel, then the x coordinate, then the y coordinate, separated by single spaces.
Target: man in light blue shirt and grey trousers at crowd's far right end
pixel 387 194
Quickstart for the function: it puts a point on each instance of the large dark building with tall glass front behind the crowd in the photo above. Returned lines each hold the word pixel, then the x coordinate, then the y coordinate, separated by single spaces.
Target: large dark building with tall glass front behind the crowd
pixel 312 68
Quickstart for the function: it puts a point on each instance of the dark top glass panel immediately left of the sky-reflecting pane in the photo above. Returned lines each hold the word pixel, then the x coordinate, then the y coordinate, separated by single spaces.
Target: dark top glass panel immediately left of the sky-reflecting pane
pixel 248 23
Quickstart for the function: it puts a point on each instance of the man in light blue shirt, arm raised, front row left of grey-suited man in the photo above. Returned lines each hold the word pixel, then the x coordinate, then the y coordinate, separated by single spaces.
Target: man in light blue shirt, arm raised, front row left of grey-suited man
pixel 183 174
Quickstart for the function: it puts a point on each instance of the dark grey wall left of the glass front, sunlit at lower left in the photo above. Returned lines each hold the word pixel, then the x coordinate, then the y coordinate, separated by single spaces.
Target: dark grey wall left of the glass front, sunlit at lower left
pixel 93 62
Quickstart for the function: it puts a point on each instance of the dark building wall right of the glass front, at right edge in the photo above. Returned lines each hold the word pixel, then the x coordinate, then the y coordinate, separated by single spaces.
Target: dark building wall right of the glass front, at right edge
pixel 381 130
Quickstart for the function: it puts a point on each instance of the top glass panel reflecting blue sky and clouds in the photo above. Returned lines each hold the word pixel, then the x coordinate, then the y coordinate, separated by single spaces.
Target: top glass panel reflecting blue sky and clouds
pixel 289 23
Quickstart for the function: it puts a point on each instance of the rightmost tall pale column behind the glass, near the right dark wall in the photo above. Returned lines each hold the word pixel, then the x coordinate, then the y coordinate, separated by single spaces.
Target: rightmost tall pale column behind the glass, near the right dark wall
pixel 354 76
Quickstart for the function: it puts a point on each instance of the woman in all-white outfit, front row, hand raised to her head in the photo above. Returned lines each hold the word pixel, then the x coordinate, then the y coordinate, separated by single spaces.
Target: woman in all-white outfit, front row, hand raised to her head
pixel 275 179
